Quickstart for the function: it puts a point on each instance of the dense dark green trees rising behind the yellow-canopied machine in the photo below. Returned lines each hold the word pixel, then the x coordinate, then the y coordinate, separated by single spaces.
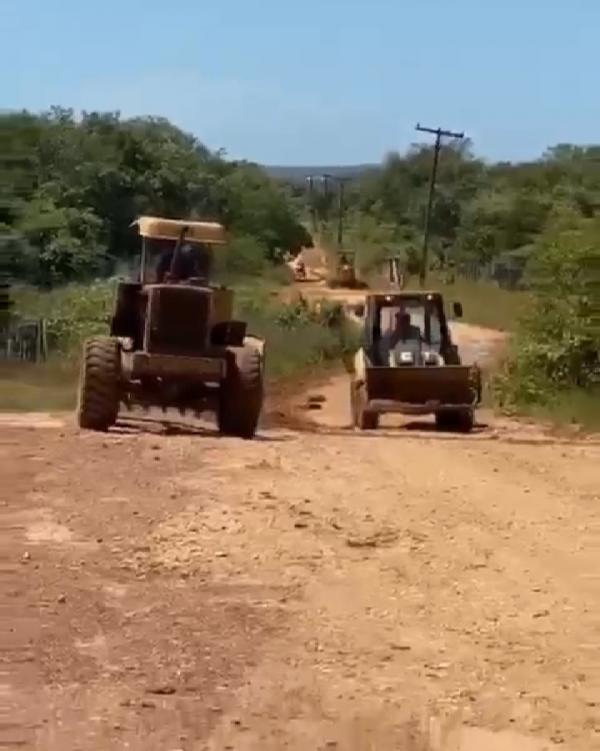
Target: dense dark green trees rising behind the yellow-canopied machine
pixel 74 186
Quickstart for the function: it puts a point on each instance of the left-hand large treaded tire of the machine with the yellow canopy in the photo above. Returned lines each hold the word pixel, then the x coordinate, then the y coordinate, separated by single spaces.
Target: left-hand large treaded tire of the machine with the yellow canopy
pixel 99 385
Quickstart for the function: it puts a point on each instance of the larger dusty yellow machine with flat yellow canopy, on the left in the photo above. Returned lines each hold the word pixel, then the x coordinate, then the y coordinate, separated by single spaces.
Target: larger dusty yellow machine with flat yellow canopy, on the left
pixel 173 340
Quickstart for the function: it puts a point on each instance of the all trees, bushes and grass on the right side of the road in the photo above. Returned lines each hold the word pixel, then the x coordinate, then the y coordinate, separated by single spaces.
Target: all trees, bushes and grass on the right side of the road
pixel 518 244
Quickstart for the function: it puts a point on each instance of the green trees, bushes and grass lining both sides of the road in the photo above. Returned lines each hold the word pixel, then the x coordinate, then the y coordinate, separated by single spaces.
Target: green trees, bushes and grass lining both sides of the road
pixel 516 243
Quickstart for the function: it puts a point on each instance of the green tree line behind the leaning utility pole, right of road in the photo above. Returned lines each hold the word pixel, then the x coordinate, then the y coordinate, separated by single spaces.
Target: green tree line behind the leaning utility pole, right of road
pixel 486 218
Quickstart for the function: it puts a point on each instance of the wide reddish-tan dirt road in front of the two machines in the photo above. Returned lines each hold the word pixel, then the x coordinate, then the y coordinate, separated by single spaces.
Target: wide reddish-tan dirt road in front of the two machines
pixel 317 588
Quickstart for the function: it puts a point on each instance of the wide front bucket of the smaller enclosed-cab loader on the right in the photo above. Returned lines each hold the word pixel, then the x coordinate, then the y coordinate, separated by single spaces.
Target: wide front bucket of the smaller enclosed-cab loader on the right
pixel 421 390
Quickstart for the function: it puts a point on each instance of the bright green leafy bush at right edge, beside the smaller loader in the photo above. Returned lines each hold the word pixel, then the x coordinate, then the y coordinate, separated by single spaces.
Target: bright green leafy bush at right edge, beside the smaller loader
pixel 553 368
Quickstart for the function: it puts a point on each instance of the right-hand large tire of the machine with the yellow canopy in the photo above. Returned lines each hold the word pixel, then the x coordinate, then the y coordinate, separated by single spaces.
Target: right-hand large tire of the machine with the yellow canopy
pixel 241 397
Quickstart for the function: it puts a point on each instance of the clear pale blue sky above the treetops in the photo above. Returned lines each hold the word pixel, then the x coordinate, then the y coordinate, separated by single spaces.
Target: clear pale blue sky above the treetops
pixel 318 81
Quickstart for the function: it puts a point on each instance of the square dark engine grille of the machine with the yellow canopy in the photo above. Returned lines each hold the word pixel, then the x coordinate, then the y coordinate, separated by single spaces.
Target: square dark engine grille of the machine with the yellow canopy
pixel 178 318
